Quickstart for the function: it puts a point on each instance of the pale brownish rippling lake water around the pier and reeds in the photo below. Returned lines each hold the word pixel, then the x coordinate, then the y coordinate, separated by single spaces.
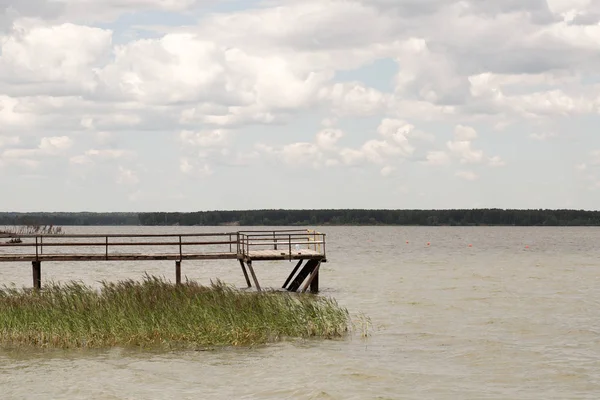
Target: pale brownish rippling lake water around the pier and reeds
pixel 496 320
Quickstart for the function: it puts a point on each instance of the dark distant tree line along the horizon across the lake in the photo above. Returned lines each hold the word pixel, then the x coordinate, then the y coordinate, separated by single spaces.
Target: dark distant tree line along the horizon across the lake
pixel 463 217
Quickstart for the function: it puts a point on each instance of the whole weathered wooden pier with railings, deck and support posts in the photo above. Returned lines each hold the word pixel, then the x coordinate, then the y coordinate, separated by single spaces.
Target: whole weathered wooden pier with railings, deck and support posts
pixel 247 247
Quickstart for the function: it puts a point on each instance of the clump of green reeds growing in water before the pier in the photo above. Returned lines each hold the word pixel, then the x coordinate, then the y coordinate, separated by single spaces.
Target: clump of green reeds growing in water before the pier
pixel 155 312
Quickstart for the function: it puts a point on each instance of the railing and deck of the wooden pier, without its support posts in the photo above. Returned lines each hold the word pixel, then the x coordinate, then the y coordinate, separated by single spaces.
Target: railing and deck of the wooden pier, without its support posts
pixel 112 246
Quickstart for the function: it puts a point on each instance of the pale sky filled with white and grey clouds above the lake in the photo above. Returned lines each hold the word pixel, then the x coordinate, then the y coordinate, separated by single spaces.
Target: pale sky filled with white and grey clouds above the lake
pixel 189 105
